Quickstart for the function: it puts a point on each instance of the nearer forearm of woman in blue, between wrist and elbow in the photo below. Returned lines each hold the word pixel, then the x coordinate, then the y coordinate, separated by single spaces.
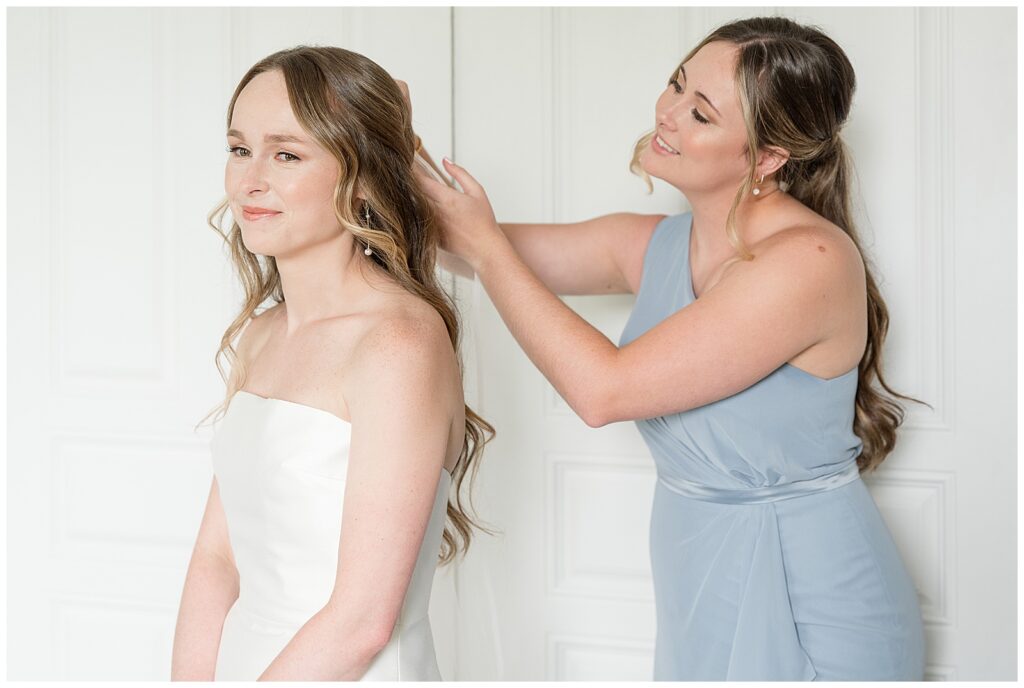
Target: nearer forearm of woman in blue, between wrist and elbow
pixel 576 358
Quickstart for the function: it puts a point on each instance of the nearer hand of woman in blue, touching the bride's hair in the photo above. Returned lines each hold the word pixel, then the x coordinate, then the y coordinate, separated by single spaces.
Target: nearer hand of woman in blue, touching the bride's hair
pixel 468 227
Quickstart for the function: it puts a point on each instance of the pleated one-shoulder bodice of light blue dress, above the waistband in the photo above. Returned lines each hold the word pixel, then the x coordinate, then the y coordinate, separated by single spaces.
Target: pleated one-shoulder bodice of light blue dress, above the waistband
pixel 790 426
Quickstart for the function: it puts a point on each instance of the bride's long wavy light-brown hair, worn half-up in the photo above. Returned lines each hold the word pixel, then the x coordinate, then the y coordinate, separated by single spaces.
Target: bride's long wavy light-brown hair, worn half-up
pixel 355 110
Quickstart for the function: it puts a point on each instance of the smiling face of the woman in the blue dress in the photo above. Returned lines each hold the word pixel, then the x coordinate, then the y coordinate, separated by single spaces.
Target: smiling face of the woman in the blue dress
pixel 701 139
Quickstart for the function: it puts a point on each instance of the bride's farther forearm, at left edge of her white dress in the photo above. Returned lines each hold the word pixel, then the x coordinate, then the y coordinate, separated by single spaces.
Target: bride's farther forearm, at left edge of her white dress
pixel 210 590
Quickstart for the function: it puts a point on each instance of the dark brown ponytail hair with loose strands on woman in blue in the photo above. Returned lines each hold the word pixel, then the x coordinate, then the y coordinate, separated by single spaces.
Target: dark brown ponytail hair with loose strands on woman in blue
pixel 796 89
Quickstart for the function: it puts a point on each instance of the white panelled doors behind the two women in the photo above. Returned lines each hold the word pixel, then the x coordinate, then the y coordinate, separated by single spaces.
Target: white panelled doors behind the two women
pixel 119 294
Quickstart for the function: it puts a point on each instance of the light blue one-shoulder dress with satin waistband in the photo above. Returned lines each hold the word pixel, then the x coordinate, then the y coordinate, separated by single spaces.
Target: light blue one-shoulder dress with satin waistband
pixel 771 560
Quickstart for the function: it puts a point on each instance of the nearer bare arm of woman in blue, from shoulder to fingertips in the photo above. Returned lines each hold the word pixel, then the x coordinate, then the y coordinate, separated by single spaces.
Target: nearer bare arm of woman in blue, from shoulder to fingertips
pixel 735 335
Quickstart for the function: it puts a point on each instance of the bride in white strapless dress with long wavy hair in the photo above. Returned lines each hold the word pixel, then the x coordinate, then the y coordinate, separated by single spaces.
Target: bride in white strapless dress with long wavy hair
pixel 345 432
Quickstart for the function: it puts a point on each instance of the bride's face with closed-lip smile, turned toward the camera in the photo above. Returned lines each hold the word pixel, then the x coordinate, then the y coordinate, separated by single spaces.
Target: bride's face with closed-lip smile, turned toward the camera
pixel 280 183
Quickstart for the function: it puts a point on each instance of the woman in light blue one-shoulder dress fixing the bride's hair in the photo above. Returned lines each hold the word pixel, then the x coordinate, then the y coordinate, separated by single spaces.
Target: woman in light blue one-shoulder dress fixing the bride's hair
pixel 751 364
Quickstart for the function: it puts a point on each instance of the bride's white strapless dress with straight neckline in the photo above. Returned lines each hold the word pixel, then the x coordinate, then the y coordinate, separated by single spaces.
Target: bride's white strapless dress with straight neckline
pixel 281 470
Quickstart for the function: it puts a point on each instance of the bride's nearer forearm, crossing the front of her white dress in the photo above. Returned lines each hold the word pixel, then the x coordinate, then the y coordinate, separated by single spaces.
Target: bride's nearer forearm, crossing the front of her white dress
pixel 328 648
